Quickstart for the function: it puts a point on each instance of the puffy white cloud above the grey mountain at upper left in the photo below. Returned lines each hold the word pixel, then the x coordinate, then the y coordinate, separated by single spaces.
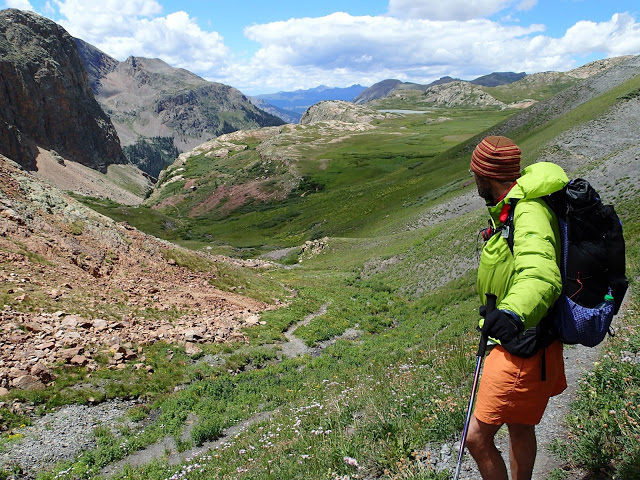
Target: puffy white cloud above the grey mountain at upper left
pixel 135 27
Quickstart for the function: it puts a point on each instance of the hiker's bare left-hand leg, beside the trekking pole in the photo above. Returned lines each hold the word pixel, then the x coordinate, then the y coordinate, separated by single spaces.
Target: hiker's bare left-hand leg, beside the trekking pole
pixel 483 450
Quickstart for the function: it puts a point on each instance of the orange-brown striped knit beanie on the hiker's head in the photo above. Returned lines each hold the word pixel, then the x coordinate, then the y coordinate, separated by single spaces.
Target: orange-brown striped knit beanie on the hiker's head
pixel 497 158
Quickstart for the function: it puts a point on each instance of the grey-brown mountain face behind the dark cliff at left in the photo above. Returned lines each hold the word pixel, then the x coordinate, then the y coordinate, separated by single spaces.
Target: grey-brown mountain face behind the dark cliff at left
pixel 148 99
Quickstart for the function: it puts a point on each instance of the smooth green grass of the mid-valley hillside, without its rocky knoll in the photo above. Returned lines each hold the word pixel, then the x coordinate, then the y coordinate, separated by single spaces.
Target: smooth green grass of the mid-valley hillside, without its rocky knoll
pixel 368 177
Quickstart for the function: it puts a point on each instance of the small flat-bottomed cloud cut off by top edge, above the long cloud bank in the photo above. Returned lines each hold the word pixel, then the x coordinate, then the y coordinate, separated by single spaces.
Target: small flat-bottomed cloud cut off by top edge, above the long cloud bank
pixel 446 10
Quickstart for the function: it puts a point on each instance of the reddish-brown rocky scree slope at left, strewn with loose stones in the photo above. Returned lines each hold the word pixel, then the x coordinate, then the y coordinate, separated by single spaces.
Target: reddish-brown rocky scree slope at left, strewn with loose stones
pixel 76 285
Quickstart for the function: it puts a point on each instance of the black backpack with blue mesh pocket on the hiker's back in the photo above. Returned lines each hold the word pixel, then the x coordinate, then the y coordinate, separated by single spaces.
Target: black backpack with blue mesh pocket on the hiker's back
pixel 592 260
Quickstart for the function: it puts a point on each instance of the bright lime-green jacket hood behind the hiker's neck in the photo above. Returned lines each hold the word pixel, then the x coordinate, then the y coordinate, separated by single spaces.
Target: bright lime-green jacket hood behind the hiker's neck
pixel 538 180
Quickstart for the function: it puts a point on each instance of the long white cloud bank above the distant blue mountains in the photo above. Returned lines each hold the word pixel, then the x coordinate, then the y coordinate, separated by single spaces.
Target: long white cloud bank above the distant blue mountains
pixel 368 44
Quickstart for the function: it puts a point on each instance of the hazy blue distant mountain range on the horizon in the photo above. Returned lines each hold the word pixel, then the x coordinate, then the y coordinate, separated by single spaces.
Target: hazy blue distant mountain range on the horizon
pixel 296 103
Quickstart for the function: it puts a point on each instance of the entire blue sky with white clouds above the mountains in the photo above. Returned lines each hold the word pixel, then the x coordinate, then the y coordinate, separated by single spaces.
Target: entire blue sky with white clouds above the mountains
pixel 262 46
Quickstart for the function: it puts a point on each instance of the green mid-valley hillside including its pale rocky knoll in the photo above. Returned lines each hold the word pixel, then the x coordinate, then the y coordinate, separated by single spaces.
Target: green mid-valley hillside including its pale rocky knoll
pixel 313 182
